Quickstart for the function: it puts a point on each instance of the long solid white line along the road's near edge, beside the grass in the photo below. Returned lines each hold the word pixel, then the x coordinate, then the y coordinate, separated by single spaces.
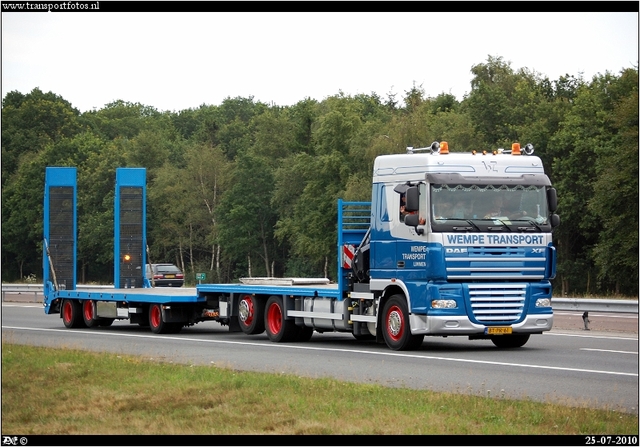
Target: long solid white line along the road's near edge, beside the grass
pixel 311 348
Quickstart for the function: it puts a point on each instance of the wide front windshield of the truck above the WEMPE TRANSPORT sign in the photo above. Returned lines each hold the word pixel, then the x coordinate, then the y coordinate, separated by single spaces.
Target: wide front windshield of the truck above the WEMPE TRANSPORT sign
pixel 489 202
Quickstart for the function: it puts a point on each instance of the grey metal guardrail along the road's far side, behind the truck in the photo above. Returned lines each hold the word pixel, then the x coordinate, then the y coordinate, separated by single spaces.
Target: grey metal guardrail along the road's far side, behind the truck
pixel 565 304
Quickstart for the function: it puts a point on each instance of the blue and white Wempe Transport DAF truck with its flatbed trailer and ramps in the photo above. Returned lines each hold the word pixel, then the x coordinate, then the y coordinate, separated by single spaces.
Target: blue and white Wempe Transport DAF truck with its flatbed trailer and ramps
pixel 450 244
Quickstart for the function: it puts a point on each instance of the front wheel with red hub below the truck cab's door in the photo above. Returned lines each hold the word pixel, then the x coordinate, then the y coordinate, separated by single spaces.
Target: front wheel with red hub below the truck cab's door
pixel 396 330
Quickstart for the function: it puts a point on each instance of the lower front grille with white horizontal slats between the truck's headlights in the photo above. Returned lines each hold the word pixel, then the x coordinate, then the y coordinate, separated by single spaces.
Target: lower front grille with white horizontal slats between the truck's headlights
pixel 497 303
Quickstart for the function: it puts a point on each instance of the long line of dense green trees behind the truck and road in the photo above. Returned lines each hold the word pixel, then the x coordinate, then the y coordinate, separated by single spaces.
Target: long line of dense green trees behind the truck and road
pixel 250 189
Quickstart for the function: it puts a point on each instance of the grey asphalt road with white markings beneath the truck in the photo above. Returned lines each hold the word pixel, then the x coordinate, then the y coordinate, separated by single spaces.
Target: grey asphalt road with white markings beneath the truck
pixel 569 365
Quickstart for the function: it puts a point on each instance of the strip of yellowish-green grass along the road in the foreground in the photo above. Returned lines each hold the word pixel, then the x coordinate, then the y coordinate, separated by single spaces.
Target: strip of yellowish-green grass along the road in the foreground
pixel 62 391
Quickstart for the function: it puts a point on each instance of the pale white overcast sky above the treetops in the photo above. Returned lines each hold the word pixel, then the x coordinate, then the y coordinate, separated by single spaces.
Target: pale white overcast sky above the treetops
pixel 173 61
